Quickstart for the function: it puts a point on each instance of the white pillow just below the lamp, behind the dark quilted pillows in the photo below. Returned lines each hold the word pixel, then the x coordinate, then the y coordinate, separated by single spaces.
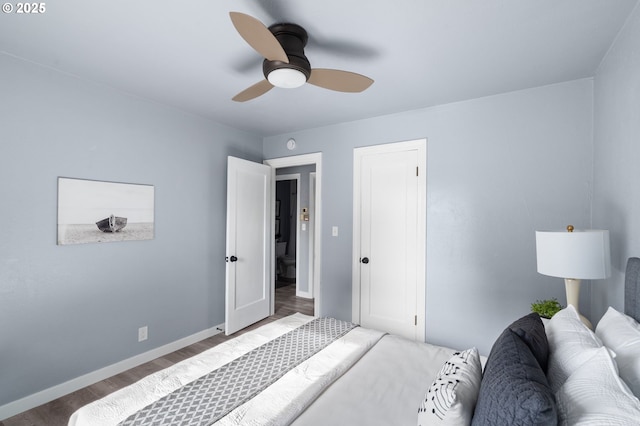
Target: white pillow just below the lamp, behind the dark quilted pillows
pixel 571 343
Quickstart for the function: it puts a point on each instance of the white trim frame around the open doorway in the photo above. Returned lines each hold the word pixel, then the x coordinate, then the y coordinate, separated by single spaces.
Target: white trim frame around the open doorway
pixel 303 160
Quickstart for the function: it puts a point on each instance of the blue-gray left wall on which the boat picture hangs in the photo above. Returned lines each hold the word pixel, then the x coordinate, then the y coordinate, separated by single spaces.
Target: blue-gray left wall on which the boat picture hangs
pixel 69 310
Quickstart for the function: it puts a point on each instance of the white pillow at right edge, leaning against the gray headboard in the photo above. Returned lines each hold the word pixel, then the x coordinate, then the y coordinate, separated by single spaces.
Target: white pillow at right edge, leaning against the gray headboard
pixel 621 333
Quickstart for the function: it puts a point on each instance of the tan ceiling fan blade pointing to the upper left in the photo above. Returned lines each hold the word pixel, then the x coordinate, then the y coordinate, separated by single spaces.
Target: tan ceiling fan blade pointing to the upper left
pixel 259 37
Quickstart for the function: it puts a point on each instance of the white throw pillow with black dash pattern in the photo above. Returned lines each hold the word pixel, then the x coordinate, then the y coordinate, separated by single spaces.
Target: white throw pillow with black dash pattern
pixel 452 396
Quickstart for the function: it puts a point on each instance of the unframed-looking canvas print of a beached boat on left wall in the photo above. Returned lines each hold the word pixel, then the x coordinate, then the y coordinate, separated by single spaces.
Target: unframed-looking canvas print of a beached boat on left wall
pixel 91 211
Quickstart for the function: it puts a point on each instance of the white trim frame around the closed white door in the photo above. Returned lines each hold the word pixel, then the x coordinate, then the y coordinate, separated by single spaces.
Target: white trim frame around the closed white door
pixel 421 146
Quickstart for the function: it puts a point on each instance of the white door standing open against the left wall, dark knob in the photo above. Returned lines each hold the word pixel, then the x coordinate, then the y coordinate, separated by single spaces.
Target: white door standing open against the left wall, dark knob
pixel 249 242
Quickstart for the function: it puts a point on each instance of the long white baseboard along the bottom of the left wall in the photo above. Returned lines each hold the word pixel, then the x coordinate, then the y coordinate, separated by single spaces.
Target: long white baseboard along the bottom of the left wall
pixel 46 395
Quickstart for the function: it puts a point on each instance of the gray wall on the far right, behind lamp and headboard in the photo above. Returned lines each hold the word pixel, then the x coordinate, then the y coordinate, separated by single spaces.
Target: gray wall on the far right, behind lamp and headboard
pixel 616 199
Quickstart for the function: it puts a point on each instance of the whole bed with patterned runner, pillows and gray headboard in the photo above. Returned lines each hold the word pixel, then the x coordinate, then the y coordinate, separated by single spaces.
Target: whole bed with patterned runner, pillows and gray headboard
pixel 302 370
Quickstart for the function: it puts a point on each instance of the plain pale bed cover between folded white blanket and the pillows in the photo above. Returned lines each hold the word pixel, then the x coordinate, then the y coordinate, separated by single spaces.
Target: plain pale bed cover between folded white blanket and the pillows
pixel 384 388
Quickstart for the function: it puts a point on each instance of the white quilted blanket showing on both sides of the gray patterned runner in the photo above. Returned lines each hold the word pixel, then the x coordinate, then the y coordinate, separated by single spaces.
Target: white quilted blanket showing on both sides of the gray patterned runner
pixel 278 404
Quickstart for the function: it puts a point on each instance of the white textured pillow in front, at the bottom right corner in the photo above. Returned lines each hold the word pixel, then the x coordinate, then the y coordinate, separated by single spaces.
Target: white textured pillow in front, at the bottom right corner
pixel 595 395
